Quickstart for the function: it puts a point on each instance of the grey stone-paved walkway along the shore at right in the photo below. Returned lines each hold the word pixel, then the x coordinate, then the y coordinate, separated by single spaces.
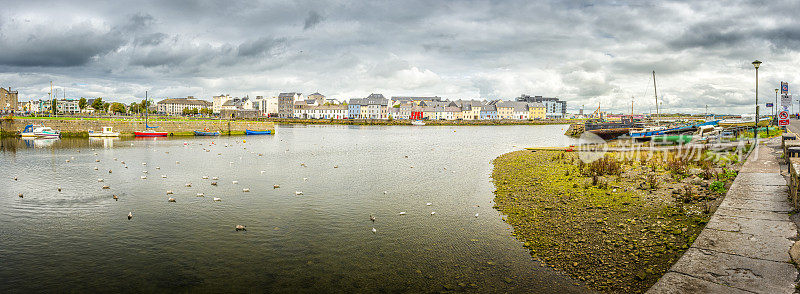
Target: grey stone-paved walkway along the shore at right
pixel 744 248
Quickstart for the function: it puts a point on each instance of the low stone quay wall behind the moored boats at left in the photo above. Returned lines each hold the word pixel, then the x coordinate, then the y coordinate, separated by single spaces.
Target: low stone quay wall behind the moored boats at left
pixel 128 126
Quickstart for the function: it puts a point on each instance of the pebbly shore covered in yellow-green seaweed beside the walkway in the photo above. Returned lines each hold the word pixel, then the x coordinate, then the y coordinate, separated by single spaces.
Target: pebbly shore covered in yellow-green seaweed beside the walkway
pixel 618 223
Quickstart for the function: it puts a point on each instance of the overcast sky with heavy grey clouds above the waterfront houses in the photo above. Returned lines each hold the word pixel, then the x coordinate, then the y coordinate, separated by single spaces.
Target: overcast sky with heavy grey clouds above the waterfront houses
pixel 585 52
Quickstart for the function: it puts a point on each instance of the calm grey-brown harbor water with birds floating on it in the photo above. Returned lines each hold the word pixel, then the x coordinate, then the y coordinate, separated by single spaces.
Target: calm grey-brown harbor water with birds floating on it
pixel 80 239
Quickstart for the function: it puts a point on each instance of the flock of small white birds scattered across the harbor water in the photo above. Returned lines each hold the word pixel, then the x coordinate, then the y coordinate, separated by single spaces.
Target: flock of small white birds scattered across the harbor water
pixel 214 182
